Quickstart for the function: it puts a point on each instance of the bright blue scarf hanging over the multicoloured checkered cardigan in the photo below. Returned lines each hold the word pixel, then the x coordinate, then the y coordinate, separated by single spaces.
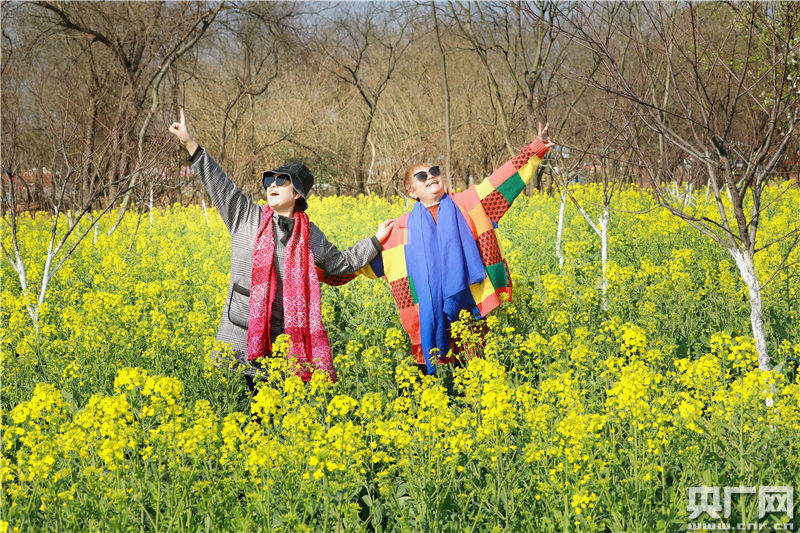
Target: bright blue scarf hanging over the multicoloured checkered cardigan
pixel 442 260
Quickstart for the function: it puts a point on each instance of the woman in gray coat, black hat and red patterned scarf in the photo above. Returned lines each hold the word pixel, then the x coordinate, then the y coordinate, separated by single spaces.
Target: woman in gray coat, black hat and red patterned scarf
pixel 264 300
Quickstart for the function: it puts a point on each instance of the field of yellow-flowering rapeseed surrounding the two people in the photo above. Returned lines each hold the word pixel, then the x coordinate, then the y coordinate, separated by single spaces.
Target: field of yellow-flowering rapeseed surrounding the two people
pixel 576 418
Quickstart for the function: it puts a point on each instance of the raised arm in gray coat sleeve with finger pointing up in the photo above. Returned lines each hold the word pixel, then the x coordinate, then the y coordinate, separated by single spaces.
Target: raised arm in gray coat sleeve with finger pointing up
pixel 230 201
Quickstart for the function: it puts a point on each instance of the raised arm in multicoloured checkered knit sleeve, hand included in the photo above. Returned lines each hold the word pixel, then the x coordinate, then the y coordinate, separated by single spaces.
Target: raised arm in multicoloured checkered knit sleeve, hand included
pixel 497 192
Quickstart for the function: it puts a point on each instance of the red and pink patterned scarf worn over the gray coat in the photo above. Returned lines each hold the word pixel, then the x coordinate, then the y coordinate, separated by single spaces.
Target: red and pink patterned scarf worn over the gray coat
pixel 302 303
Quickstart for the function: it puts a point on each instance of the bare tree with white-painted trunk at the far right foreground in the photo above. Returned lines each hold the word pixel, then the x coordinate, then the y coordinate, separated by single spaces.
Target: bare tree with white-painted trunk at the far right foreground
pixel 722 95
